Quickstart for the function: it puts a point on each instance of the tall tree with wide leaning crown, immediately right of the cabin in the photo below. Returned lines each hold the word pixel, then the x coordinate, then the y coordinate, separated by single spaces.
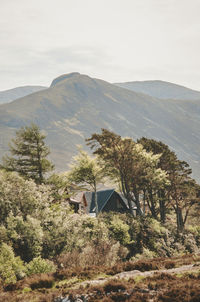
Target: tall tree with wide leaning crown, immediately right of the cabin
pixel 129 163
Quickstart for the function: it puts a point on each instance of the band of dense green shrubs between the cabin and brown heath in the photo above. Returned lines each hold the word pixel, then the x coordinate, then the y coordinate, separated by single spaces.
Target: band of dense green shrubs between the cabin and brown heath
pixel 39 235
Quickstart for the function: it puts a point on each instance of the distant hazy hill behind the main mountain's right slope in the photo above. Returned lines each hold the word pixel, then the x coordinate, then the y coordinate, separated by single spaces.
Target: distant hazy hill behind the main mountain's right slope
pixel 162 90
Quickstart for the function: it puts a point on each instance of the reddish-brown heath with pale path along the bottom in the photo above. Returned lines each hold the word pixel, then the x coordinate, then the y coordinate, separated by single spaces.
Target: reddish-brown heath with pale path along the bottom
pixel 167 282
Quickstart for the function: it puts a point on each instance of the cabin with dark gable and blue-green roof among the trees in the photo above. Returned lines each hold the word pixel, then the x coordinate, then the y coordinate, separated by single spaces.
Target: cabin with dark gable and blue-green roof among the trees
pixel 107 200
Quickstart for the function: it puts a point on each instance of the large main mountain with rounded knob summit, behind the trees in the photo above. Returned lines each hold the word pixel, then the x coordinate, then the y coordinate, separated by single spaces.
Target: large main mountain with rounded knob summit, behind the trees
pixel 75 106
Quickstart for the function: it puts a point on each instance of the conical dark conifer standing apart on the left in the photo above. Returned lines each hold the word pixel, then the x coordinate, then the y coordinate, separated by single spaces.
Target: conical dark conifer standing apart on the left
pixel 28 154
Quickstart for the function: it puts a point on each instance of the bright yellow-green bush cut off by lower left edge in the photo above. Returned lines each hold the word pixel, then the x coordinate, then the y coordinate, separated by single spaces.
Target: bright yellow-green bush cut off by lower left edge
pixel 11 267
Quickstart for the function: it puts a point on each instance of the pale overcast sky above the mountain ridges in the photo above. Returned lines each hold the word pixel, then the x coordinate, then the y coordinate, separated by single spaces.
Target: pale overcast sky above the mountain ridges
pixel 114 40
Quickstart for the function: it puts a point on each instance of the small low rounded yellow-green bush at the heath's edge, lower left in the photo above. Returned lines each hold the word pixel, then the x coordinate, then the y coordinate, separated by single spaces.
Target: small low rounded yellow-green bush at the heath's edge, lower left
pixel 39 266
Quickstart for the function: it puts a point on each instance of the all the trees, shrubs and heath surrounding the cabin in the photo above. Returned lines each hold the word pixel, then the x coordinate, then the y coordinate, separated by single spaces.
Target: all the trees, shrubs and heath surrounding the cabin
pixel 47 250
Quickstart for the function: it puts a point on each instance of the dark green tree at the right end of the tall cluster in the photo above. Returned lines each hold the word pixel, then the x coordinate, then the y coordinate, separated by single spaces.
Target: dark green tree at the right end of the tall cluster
pixel 182 193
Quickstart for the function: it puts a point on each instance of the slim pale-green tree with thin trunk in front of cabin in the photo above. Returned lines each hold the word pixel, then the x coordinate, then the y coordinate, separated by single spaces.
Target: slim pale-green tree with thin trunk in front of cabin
pixel 85 170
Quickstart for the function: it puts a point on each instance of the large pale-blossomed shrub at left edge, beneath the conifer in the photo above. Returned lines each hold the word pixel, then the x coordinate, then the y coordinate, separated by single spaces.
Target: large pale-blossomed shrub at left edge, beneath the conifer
pixel 21 197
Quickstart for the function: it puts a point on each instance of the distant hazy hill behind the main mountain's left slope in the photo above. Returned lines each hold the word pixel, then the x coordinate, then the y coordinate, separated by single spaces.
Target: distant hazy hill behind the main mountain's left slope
pixel 10 95
